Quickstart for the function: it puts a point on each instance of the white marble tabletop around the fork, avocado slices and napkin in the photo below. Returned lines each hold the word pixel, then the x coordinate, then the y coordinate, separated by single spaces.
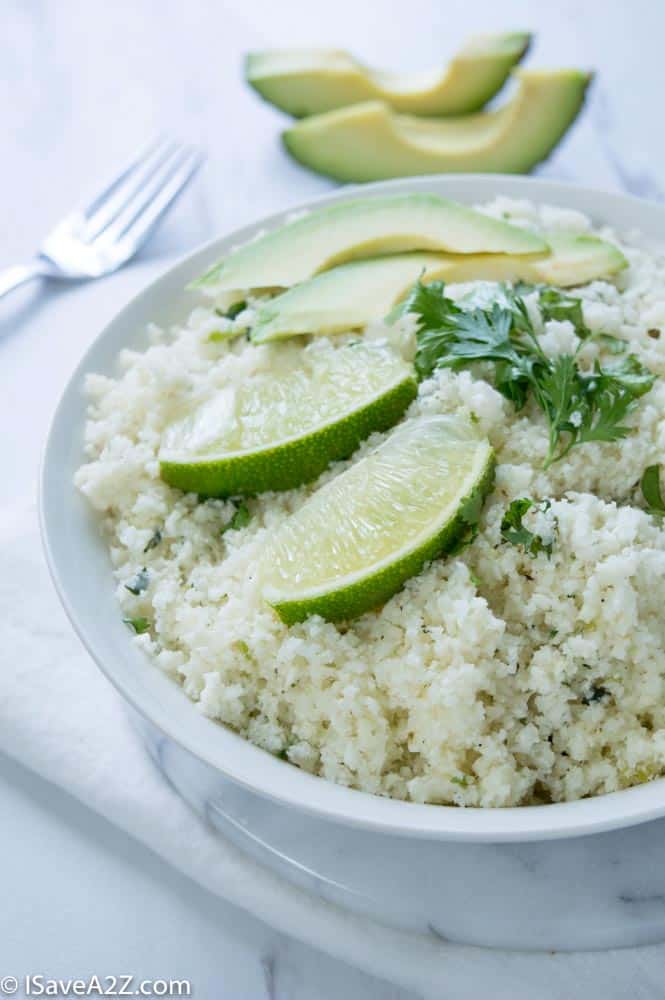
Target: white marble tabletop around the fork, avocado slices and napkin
pixel 81 84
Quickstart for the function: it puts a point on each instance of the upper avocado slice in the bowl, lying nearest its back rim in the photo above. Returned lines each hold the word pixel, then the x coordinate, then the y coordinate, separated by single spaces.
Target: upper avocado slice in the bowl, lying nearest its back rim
pixel 366 227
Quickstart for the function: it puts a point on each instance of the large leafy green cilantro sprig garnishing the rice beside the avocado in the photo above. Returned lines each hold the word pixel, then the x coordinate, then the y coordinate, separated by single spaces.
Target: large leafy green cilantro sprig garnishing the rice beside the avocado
pixel 580 406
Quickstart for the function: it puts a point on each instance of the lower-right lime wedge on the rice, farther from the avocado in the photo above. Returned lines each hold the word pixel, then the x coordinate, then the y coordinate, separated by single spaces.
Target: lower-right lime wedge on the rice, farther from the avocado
pixel 354 543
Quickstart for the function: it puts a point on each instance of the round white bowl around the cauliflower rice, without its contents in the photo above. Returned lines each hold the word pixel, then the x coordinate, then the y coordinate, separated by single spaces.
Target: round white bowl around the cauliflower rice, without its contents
pixel 81 572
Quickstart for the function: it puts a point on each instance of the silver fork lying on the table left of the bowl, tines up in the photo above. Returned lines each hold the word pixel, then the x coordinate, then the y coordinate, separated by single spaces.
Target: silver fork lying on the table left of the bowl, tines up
pixel 104 234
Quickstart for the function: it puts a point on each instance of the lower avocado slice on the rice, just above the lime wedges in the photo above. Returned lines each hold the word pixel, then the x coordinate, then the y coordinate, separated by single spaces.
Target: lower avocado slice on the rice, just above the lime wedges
pixel 350 296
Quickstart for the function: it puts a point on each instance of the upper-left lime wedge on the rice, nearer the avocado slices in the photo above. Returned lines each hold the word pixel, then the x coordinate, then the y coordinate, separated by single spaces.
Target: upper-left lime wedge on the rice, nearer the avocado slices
pixel 283 427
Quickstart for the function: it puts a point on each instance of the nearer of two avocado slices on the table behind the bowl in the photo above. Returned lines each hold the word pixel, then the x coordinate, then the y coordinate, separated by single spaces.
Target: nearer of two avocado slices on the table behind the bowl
pixel 368 142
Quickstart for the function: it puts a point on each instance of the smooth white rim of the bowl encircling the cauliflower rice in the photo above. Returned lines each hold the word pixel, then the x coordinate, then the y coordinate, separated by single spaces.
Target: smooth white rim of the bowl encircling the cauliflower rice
pixel 225 751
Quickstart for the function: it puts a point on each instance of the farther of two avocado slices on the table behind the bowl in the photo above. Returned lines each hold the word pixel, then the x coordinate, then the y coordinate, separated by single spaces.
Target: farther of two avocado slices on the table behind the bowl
pixel 310 81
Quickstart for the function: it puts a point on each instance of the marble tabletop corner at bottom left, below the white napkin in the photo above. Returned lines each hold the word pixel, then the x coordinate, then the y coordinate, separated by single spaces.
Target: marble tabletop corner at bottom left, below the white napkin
pixel 79 897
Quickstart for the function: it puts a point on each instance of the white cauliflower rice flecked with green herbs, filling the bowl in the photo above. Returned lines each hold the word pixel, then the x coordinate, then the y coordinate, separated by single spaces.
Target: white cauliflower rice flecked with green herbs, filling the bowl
pixel 494 678
